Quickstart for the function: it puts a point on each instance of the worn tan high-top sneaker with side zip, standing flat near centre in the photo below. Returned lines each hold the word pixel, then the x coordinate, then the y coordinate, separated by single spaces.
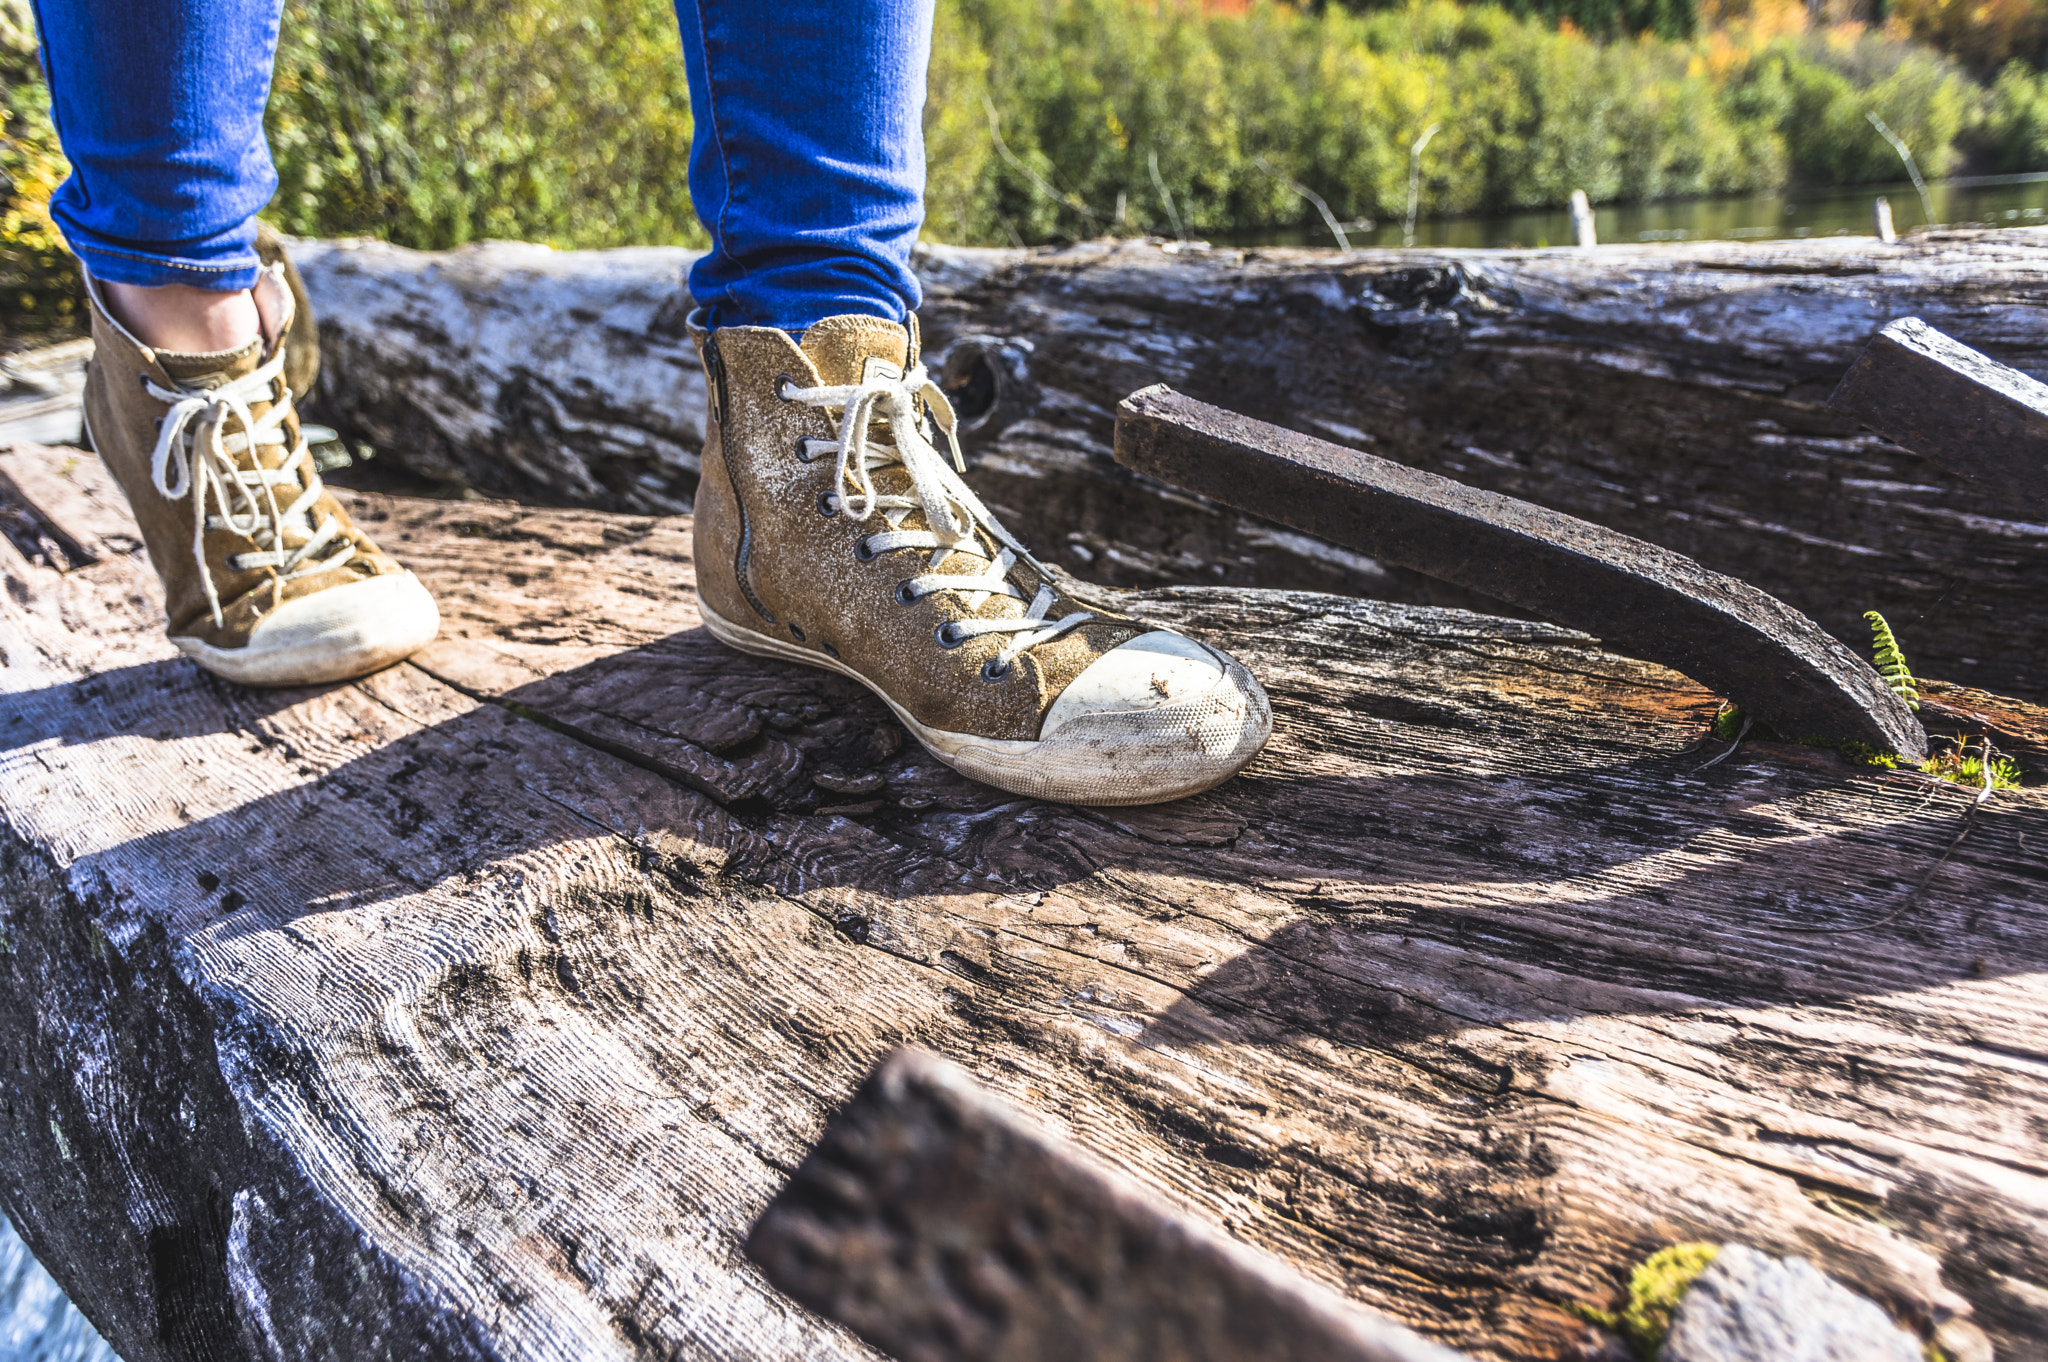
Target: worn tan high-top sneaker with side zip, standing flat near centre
pixel 830 531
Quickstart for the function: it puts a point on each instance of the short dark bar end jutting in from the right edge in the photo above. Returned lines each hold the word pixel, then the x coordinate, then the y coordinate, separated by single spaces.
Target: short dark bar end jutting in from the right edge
pixel 1957 407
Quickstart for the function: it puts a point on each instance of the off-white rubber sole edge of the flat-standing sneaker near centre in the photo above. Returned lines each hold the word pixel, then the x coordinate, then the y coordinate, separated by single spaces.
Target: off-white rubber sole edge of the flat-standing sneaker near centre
pixel 1105 759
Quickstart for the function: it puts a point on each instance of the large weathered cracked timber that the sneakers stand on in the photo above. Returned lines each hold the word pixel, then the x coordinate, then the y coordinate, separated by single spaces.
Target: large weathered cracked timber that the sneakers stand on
pixel 478 1009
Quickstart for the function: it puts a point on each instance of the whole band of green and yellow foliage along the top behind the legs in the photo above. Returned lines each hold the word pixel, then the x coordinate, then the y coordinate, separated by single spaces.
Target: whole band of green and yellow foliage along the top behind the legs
pixel 439 122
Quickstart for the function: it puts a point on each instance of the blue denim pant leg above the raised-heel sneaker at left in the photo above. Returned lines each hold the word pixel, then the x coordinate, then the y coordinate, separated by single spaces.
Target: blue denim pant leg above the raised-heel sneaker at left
pixel 159 105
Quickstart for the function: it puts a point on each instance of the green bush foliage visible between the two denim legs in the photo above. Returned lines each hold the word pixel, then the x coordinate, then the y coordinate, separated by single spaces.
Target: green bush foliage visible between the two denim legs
pixel 441 122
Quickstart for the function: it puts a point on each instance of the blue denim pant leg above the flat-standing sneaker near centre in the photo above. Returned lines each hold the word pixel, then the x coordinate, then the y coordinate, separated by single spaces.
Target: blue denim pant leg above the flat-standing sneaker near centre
pixel 808 157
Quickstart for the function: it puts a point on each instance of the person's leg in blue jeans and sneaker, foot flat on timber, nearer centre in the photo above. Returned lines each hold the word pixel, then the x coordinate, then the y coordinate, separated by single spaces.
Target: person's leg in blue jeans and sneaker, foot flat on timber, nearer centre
pixel 828 527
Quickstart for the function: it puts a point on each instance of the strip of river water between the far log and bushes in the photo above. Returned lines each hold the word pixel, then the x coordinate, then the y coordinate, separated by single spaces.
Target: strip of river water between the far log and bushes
pixel 2002 202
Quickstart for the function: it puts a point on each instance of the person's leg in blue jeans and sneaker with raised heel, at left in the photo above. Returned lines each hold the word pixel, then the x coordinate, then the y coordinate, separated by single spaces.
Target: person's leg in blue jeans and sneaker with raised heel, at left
pixel 267 581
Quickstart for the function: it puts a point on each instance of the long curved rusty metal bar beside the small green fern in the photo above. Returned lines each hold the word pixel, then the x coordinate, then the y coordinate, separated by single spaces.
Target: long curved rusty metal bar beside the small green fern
pixel 1631 595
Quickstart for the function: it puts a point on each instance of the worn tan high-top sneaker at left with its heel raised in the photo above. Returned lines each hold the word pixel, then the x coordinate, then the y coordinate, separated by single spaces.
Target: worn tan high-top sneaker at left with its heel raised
pixel 265 579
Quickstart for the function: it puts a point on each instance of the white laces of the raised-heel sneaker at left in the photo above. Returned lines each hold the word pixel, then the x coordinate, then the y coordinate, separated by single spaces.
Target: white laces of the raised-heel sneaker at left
pixel 196 458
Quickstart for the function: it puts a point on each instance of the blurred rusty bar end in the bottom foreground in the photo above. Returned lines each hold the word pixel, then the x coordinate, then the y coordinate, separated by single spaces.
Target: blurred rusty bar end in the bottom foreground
pixel 945 1226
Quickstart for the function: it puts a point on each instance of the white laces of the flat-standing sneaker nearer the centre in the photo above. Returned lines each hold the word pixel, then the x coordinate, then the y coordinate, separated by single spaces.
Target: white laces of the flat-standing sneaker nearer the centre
pixel 951 509
